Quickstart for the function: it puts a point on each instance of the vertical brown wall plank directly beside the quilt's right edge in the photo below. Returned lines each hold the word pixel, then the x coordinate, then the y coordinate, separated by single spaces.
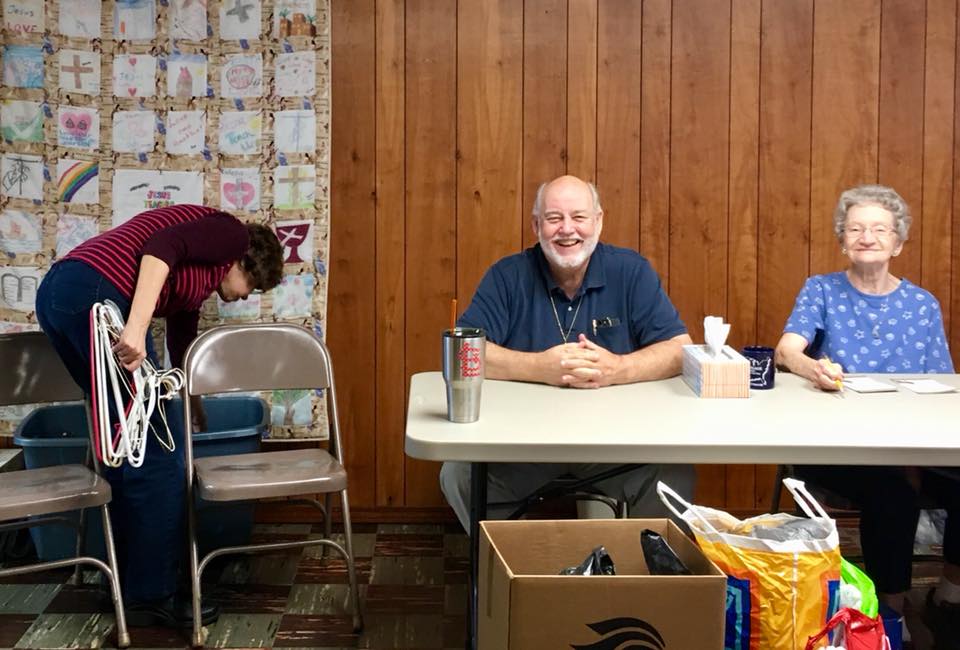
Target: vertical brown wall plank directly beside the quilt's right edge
pixel 353 246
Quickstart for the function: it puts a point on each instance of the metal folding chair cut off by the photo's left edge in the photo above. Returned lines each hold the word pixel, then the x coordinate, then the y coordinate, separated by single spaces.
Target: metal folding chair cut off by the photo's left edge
pixel 32 373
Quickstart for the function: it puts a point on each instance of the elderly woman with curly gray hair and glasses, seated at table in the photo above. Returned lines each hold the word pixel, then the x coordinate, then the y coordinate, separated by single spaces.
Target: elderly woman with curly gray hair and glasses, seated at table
pixel 865 319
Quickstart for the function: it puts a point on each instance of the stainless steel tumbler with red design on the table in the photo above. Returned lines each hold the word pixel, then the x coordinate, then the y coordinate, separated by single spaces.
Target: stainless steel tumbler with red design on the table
pixel 463 368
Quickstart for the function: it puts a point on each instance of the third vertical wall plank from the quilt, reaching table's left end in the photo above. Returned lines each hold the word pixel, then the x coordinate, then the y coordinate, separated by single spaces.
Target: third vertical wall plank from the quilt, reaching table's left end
pixel 431 202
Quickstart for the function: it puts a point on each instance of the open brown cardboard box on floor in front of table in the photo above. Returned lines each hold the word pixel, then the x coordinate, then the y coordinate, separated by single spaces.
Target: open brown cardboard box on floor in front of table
pixel 525 605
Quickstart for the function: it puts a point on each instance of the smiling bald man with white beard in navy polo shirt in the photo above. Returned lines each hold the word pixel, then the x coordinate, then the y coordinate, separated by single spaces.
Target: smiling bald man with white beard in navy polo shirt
pixel 573 312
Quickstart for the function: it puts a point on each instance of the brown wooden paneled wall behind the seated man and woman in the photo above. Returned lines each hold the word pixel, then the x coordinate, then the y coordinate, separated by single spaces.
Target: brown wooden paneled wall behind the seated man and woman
pixel 718 132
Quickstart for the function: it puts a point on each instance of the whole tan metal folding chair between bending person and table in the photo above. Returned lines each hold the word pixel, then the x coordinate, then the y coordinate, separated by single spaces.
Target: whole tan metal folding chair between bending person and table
pixel 261 357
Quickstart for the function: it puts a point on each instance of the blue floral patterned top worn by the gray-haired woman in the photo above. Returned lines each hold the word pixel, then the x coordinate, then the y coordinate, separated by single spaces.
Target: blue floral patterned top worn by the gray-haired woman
pixel 901 331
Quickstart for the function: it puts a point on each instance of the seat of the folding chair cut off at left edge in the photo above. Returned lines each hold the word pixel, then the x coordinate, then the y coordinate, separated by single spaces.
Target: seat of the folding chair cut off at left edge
pixel 49 490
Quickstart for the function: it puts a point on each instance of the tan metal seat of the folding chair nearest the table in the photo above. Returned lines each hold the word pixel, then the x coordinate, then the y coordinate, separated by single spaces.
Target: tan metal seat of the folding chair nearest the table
pixel 268 474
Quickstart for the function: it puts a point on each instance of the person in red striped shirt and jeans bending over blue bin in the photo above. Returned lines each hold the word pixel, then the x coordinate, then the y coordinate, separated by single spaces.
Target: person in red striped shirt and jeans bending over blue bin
pixel 161 263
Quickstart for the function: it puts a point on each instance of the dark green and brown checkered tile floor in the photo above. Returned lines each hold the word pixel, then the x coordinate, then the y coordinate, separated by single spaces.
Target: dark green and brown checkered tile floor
pixel 412 586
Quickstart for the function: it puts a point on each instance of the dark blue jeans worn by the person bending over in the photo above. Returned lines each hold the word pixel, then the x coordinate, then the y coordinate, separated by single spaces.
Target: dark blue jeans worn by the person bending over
pixel 147 510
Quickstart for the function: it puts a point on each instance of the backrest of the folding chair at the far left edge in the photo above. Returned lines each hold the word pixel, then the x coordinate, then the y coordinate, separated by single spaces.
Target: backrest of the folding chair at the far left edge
pixel 31 372
